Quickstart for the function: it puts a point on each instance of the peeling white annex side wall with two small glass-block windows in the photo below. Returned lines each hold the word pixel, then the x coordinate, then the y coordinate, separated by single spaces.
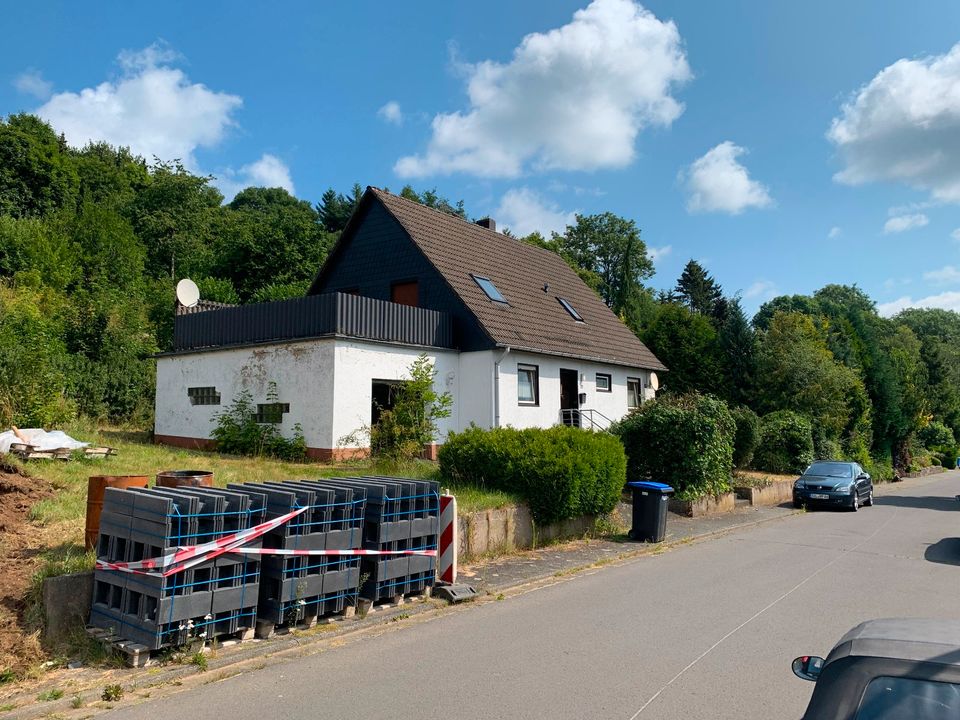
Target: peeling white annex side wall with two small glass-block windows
pixel 302 371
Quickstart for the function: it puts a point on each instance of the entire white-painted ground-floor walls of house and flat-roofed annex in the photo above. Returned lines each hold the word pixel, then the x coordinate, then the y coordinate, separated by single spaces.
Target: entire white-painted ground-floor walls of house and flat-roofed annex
pixel 328 384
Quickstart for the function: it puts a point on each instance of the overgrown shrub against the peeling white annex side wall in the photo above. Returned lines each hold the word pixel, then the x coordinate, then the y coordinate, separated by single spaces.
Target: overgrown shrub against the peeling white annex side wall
pixel 237 432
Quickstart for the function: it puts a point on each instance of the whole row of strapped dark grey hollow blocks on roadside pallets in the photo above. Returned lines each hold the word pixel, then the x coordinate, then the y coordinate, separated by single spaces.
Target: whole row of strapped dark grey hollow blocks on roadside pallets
pixel 229 593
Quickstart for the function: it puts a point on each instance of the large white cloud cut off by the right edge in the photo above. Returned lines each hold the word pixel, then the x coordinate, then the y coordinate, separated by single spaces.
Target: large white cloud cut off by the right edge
pixel 904 126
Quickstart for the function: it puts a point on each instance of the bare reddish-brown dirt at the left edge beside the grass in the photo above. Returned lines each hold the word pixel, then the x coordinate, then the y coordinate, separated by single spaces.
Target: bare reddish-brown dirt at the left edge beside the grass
pixel 19 559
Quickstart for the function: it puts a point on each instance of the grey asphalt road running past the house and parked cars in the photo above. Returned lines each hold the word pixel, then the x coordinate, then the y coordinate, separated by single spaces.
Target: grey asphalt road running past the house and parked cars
pixel 703 631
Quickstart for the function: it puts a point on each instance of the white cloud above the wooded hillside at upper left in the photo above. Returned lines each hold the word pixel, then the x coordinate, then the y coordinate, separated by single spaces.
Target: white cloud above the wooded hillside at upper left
pixel 152 108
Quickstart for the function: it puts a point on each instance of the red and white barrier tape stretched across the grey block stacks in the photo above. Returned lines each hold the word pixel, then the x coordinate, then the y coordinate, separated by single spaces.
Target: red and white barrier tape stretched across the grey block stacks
pixel 186 557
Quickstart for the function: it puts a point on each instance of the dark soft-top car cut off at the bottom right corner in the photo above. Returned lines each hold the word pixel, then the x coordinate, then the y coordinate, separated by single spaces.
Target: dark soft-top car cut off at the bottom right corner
pixel 895 669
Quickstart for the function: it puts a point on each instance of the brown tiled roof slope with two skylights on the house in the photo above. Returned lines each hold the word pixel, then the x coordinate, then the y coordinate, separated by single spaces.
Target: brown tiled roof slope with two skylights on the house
pixel 534 319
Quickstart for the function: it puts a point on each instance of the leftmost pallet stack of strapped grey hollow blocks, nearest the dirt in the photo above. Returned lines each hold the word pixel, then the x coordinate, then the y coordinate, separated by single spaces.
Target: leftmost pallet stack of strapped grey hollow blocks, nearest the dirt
pixel 216 597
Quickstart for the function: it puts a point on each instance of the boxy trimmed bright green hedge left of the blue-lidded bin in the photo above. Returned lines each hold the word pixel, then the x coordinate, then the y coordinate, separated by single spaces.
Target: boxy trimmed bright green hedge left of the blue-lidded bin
pixel 560 472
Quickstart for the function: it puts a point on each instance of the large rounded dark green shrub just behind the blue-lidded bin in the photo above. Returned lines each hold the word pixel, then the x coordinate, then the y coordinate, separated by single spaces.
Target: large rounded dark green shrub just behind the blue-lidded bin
pixel 684 441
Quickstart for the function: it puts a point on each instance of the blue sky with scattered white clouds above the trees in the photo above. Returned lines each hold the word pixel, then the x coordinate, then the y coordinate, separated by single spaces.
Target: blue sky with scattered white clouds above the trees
pixel 784 145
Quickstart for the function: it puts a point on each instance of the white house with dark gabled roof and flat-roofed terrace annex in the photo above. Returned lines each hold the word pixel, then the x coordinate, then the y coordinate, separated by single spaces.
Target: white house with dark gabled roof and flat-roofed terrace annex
pixel 516 338
